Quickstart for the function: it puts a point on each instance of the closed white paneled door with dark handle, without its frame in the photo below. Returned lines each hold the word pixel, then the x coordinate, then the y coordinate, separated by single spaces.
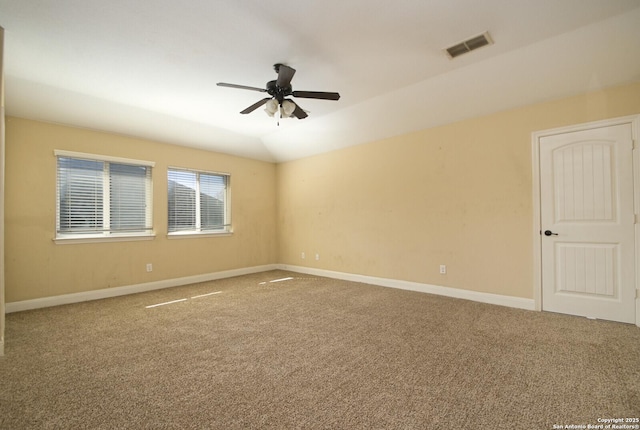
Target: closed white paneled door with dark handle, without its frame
pixel 587 219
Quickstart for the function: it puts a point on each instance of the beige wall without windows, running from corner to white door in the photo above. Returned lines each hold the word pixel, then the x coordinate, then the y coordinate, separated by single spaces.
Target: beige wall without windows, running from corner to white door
pixel 459 195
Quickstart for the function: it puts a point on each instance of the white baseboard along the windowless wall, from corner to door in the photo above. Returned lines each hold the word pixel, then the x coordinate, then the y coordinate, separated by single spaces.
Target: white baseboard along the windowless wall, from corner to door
pixel 476 296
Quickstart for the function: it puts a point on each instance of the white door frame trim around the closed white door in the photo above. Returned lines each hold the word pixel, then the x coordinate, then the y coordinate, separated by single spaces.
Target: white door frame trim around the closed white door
pixel 634 120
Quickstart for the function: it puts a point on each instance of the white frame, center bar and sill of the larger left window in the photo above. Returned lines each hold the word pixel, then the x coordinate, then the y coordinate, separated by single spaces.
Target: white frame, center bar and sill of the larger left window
pixel 105 236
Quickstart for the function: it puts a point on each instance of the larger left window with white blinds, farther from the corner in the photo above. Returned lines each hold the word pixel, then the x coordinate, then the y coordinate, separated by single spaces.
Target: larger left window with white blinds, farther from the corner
pixel 101 197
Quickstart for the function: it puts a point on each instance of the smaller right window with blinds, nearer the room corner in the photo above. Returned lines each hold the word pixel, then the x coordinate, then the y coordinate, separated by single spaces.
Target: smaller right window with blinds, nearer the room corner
pixel 198 202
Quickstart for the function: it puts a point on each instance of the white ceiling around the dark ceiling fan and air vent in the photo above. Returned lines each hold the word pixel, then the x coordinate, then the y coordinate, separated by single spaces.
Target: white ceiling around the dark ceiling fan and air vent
pixel 149 69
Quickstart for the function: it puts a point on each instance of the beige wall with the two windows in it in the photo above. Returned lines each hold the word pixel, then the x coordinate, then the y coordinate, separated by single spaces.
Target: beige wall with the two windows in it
pixel 37 267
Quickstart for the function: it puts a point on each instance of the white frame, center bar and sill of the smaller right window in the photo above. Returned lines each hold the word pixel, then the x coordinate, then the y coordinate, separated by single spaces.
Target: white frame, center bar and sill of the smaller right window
pixel 227 229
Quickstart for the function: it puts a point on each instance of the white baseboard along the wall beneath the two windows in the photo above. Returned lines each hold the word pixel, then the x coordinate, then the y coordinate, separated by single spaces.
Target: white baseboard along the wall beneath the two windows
pixel 130 289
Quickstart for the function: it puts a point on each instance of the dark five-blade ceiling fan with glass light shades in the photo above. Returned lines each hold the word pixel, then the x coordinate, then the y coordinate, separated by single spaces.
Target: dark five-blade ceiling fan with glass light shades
pixel 279 89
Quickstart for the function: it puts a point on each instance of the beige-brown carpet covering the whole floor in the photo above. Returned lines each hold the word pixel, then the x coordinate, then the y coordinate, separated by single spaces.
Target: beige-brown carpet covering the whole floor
pixel 311 353
